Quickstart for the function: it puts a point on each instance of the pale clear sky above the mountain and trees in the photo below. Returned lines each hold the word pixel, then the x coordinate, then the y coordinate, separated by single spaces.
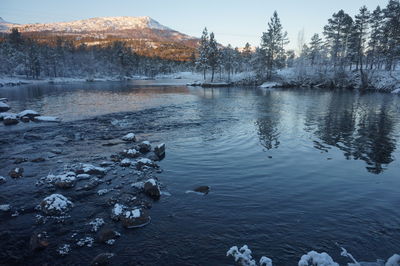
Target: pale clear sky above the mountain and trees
pixel 233 21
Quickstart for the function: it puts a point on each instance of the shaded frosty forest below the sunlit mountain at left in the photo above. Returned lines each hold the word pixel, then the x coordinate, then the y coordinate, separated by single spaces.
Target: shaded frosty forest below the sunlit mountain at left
pixel 60 57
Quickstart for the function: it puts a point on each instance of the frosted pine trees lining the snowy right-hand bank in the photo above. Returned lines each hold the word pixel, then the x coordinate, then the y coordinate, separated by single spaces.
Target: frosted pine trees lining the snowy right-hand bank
pixel 369 41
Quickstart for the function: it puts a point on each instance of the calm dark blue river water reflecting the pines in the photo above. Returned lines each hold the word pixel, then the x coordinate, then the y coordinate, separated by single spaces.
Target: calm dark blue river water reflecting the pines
pixel 290 170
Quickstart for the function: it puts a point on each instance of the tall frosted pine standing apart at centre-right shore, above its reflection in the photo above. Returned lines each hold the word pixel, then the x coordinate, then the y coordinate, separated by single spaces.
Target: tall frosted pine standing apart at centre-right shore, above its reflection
pixel 272 45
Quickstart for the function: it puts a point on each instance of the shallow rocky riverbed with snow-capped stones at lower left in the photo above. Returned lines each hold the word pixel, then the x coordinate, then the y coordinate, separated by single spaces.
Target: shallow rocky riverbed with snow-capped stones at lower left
pixel 68 186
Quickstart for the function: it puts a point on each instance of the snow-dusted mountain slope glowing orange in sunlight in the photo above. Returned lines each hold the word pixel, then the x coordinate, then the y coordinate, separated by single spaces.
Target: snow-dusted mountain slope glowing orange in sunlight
pixel 144 35
